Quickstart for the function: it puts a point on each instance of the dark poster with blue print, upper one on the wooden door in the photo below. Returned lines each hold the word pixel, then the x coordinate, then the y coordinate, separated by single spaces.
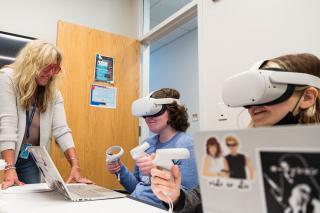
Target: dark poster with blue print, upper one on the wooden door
pixel 104 69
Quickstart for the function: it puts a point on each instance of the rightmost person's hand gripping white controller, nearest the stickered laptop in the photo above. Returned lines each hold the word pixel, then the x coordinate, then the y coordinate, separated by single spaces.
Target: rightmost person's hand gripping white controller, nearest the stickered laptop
pixel 165 183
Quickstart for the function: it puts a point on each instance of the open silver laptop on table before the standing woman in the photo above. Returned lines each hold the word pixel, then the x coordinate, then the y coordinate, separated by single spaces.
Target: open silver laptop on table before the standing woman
pixel 73 192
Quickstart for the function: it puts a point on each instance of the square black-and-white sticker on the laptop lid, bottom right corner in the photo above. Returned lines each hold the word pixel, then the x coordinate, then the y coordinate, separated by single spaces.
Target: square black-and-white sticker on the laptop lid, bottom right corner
pixel 291 181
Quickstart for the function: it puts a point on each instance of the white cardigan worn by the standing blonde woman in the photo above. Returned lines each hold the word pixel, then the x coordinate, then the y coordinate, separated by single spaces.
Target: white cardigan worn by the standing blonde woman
pixel 13 119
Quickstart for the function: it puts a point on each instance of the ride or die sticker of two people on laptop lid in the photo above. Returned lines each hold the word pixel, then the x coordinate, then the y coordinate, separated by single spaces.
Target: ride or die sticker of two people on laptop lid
pixel 225 165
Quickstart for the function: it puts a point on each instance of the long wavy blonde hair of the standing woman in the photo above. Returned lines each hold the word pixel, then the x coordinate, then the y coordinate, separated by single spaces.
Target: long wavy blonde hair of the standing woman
pixel 33 58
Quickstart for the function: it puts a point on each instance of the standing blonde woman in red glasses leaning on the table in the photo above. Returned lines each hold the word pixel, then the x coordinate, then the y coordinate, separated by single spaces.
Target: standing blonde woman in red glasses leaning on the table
pixel 31 111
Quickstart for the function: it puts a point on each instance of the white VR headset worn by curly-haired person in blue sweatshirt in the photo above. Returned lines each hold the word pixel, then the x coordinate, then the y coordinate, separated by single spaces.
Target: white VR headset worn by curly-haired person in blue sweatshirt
pixel 151 107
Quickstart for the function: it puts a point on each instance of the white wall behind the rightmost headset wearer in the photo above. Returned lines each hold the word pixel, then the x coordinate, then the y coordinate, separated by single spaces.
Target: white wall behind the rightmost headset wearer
pixel 235 34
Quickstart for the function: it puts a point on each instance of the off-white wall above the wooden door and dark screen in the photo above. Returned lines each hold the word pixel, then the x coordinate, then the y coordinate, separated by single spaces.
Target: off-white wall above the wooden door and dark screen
pixel 38 18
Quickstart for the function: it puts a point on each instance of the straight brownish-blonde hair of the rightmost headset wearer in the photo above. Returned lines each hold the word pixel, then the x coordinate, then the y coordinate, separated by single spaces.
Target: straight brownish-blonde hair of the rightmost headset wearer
pixel 302 63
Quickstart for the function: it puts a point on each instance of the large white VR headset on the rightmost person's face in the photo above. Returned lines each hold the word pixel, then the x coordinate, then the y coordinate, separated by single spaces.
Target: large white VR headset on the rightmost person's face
pixel 264 86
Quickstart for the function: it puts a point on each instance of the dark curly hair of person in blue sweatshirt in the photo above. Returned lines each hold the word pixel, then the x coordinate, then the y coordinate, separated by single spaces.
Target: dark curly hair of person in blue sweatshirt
pixel 178 115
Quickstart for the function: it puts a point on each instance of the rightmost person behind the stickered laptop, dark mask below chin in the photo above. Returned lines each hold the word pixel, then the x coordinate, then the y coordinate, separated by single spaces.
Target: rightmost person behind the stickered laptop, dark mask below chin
pixel 299 105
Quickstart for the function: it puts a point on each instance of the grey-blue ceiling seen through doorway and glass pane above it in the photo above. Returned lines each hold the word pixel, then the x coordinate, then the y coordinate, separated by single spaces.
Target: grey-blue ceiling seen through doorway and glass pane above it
pixel 162 9
